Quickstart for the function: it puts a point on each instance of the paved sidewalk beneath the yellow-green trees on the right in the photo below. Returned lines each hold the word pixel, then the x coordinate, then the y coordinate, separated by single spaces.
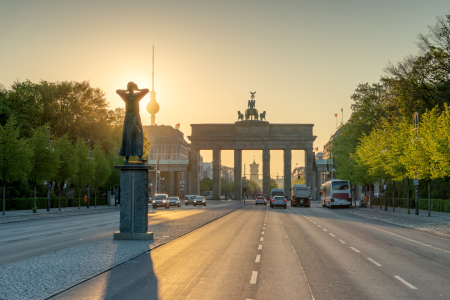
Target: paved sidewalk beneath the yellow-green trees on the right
pixel 438 222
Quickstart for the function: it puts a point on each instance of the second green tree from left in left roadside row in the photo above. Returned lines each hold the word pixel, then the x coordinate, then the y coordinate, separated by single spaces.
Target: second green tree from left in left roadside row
pixel 44 159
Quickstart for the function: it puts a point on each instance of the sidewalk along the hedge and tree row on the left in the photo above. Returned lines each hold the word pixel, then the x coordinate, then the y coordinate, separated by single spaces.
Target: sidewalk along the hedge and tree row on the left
pixel 24 215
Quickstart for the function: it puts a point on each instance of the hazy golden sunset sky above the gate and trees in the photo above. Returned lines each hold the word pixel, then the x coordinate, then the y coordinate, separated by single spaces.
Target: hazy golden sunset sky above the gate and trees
pixel 303 58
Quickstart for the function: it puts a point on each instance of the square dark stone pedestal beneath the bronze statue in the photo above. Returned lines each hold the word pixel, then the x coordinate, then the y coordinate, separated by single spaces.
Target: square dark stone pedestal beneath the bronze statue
pixel 134 202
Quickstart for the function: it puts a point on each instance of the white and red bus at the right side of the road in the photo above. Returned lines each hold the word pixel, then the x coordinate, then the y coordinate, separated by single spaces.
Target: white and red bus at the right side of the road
pixel 336 192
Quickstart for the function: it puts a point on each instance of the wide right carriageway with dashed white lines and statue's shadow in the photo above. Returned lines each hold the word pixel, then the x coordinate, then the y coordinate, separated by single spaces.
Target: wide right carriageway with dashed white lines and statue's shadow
pixel 295 253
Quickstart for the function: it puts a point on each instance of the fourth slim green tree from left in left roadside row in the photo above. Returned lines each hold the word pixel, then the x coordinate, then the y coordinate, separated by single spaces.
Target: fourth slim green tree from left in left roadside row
pixel 86 166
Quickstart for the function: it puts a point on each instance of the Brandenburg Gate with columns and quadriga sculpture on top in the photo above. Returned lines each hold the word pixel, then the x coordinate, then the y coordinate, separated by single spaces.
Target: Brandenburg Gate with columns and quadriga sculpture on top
pixel 251 134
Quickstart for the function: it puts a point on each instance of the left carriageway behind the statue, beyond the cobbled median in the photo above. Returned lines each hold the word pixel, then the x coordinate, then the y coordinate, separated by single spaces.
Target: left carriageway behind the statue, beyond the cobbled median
pixel 26 239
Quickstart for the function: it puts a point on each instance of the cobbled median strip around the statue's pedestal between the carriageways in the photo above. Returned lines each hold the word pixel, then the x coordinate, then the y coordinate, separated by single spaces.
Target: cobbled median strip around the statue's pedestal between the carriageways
pixel 46 275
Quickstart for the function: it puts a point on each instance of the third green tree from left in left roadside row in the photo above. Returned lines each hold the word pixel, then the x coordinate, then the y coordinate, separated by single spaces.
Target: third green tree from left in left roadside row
pixel 68 163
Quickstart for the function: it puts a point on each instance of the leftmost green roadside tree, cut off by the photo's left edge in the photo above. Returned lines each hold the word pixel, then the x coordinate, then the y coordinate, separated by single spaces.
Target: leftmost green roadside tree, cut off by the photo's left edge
pixel 14 155
